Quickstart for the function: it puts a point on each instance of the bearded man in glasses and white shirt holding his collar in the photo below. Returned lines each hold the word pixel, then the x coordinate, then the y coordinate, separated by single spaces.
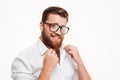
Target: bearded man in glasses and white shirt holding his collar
pixel 49 59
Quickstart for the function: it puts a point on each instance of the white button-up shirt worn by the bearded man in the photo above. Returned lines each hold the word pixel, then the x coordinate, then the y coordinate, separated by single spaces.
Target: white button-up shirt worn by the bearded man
pixel 28 64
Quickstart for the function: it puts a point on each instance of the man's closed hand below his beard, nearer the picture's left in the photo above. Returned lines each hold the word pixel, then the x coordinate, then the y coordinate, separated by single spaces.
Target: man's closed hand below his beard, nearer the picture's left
pixel 50 60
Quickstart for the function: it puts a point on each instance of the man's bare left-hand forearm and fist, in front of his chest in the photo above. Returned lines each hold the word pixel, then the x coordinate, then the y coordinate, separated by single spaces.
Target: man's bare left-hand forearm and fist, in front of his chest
pixel 50 61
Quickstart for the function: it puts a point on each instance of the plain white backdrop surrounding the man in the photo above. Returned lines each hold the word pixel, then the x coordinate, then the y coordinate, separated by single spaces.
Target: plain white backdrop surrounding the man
pixel 94 29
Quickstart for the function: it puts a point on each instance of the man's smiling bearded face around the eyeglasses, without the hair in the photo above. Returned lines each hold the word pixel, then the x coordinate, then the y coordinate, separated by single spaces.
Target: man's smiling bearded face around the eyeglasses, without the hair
pixel 52 39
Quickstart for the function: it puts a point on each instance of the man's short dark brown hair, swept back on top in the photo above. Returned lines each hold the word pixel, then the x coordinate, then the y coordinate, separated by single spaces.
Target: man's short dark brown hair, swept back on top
pixel 54 10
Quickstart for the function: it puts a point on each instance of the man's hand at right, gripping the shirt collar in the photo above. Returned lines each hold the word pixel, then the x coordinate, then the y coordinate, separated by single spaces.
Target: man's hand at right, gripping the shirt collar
pixel 73 52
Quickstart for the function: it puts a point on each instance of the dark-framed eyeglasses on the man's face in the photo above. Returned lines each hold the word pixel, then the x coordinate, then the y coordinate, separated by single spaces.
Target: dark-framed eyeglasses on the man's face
pixel 54 27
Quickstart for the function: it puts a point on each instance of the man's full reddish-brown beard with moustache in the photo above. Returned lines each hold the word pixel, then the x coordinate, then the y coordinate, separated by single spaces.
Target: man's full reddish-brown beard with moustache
pixel 50 42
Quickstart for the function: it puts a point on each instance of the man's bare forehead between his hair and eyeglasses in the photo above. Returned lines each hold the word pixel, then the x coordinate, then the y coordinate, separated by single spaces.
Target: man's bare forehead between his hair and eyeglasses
pixel 53 18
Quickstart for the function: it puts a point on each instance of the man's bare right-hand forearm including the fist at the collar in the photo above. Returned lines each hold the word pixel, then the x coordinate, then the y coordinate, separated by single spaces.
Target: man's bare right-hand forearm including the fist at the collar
pixel 73 52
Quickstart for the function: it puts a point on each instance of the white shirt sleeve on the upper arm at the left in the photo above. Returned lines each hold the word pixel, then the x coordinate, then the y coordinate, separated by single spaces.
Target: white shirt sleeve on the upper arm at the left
pixel 21 70
